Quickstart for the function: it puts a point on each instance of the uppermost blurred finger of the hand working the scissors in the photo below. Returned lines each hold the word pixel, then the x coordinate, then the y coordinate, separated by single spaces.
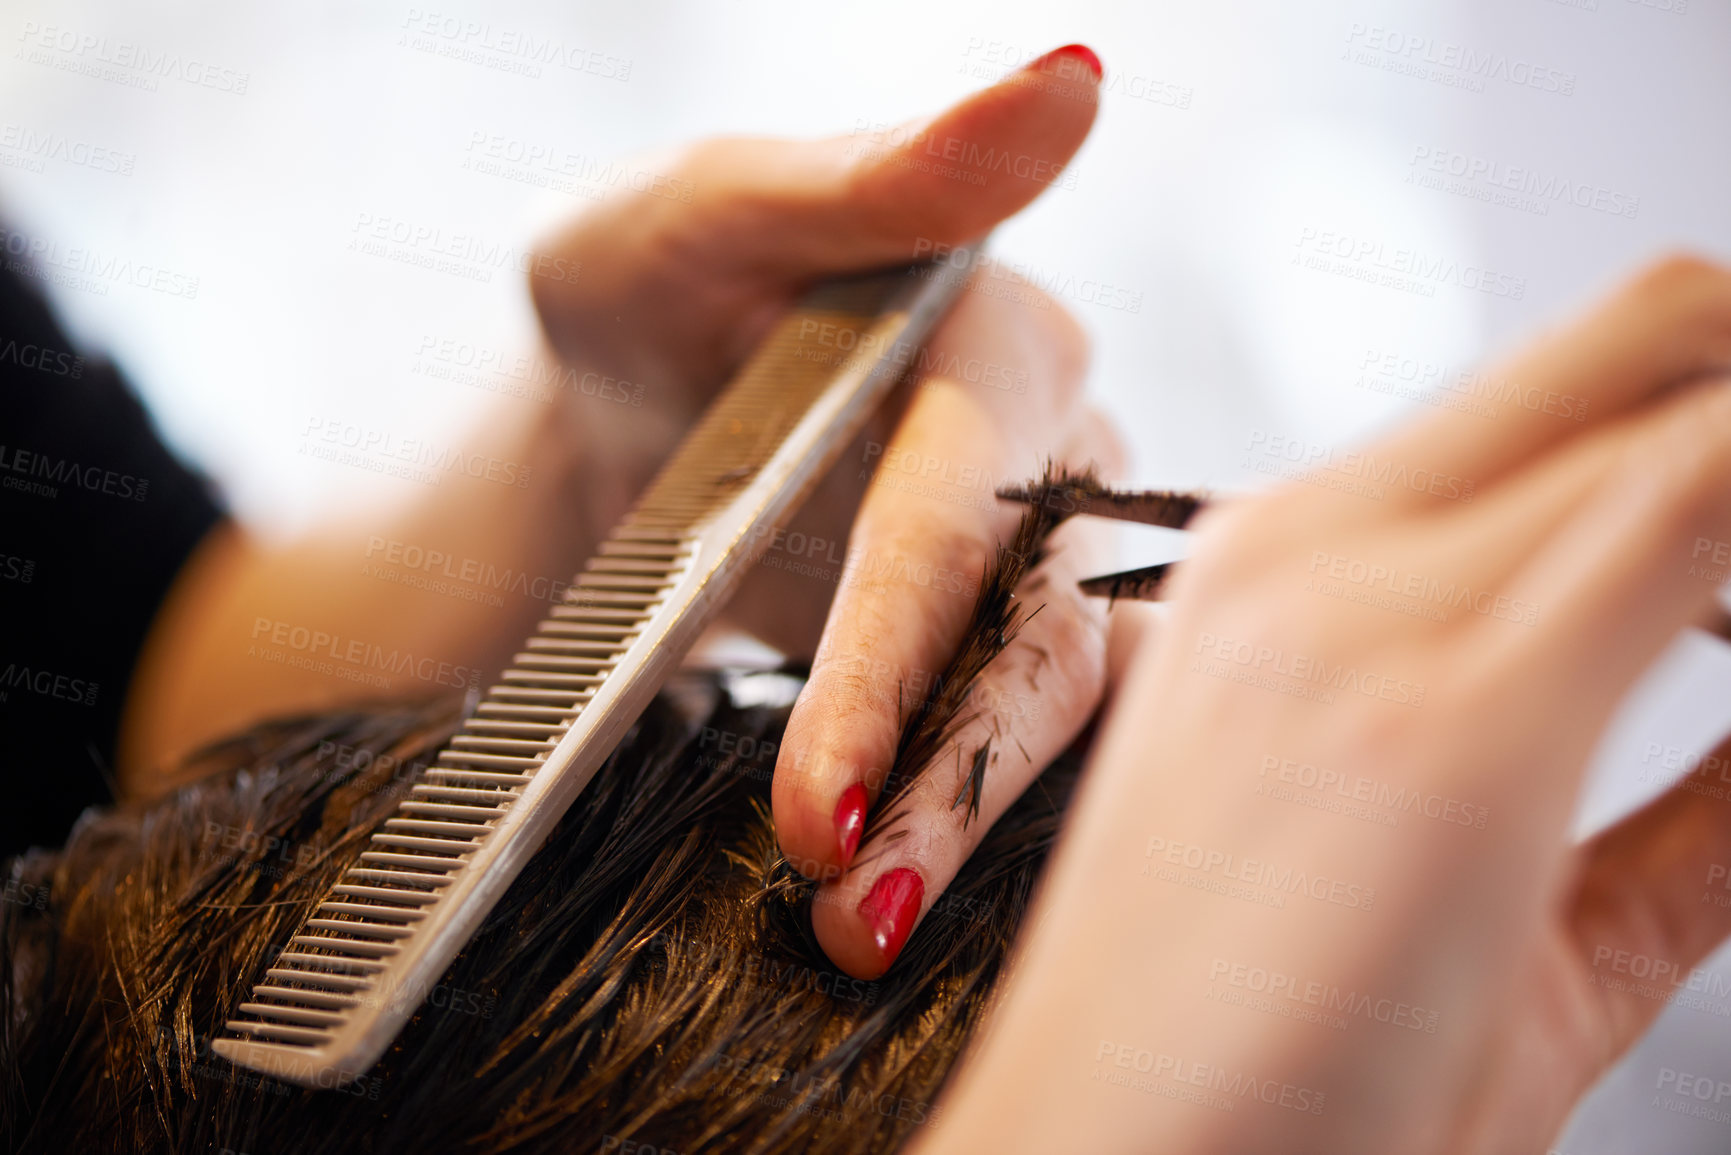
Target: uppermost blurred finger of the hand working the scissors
pixel 1668 326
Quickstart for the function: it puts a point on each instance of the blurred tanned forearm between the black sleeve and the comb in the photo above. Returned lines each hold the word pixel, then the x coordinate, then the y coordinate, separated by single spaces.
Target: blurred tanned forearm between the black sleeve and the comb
pixel 418 600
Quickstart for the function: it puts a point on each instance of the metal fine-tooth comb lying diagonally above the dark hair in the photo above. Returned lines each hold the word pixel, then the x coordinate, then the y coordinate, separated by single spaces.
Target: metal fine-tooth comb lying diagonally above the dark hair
pixel 373 950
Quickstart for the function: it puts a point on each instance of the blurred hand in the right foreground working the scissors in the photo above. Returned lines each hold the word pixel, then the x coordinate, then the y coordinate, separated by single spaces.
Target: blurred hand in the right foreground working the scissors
pixel 1320 893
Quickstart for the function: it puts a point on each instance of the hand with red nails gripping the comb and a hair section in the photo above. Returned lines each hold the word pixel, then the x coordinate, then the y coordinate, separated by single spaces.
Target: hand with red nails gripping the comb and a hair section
pixel 679 283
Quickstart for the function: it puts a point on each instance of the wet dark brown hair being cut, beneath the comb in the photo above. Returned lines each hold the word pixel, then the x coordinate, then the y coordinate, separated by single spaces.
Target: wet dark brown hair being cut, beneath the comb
pixel 648 984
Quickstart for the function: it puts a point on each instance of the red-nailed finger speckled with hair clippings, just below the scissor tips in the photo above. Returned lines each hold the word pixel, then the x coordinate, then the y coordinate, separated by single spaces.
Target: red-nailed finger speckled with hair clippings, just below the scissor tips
pixel 1027 707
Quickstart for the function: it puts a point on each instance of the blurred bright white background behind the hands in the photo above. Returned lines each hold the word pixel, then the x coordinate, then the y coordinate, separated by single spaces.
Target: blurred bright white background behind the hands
pixel 1526 153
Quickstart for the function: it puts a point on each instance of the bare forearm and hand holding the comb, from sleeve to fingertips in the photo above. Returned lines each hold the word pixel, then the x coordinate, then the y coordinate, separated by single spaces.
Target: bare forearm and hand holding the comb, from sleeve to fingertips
pixel 672 295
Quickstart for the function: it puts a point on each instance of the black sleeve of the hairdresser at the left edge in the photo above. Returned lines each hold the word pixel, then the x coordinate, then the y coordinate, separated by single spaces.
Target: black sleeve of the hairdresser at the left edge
pixel 96 520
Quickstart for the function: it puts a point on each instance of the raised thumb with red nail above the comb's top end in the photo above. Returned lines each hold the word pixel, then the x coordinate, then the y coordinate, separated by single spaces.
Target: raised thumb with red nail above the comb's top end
pixel 882 195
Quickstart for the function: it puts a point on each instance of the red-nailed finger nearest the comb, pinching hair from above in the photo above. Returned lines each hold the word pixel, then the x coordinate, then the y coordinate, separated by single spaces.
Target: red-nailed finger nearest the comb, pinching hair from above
pixel 922 539
